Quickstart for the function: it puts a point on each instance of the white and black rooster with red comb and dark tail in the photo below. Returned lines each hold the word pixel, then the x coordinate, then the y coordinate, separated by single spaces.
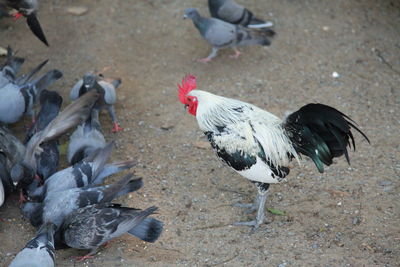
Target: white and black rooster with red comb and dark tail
pixel 259 146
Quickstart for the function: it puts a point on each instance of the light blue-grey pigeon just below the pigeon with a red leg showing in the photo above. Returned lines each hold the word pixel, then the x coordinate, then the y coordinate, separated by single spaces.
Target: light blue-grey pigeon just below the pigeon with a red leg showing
pixel 85 140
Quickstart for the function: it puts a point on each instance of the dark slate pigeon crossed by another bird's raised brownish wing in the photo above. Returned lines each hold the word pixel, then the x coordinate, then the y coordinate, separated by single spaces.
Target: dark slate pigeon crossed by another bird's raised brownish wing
pixel 48 160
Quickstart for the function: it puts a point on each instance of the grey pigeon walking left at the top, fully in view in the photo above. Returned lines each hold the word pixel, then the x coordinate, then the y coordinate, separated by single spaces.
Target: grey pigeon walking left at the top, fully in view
pixel 220 34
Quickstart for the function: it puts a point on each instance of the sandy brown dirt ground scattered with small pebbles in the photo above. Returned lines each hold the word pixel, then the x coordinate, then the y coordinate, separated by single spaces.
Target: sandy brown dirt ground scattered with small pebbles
pixel 348 216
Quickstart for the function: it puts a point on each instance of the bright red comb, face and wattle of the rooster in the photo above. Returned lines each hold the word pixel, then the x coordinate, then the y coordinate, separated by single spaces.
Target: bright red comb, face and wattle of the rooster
pixel 190 102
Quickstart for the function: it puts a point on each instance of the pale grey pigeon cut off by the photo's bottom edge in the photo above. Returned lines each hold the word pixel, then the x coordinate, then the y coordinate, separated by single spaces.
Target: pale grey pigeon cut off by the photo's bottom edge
pixel 39 252
